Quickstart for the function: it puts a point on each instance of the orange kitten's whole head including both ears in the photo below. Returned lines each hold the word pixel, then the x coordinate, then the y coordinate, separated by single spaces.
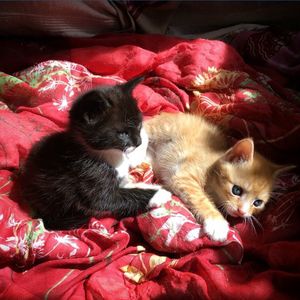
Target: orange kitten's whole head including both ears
pixel 241 181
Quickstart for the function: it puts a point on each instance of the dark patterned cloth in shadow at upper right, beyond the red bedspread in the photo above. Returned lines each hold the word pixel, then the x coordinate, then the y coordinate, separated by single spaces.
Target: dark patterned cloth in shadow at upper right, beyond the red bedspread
pixel 273 51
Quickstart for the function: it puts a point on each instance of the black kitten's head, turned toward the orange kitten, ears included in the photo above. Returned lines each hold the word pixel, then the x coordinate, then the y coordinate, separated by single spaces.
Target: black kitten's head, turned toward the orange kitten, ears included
pixel 108 117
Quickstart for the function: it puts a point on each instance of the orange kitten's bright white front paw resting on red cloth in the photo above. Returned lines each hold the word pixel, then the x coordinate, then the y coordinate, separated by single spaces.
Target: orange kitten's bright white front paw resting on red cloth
pixel 216 229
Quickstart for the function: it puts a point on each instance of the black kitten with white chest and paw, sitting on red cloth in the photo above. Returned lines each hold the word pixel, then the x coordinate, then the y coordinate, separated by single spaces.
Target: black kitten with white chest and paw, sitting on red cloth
pixel 81 172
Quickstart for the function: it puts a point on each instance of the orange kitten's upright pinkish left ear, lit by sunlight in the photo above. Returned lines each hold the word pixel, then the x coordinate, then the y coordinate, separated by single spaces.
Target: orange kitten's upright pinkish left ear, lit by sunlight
pixel 242 151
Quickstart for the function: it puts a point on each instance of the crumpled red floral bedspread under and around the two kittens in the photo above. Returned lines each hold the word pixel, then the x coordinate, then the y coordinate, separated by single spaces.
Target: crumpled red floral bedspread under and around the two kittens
pixel 163 253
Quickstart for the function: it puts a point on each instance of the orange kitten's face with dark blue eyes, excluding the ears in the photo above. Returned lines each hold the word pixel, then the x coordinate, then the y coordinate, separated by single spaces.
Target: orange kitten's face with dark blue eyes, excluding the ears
pixel 242 190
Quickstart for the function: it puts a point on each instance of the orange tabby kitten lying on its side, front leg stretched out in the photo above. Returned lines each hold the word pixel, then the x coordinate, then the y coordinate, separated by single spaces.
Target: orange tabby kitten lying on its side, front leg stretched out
pixel 191 158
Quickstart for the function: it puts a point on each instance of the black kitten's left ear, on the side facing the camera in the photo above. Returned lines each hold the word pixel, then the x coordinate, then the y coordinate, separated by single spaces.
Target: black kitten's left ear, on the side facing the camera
pixel 90 108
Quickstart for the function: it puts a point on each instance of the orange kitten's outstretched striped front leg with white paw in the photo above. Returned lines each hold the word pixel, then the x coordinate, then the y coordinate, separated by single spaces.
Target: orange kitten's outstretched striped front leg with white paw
pixel 204 210
